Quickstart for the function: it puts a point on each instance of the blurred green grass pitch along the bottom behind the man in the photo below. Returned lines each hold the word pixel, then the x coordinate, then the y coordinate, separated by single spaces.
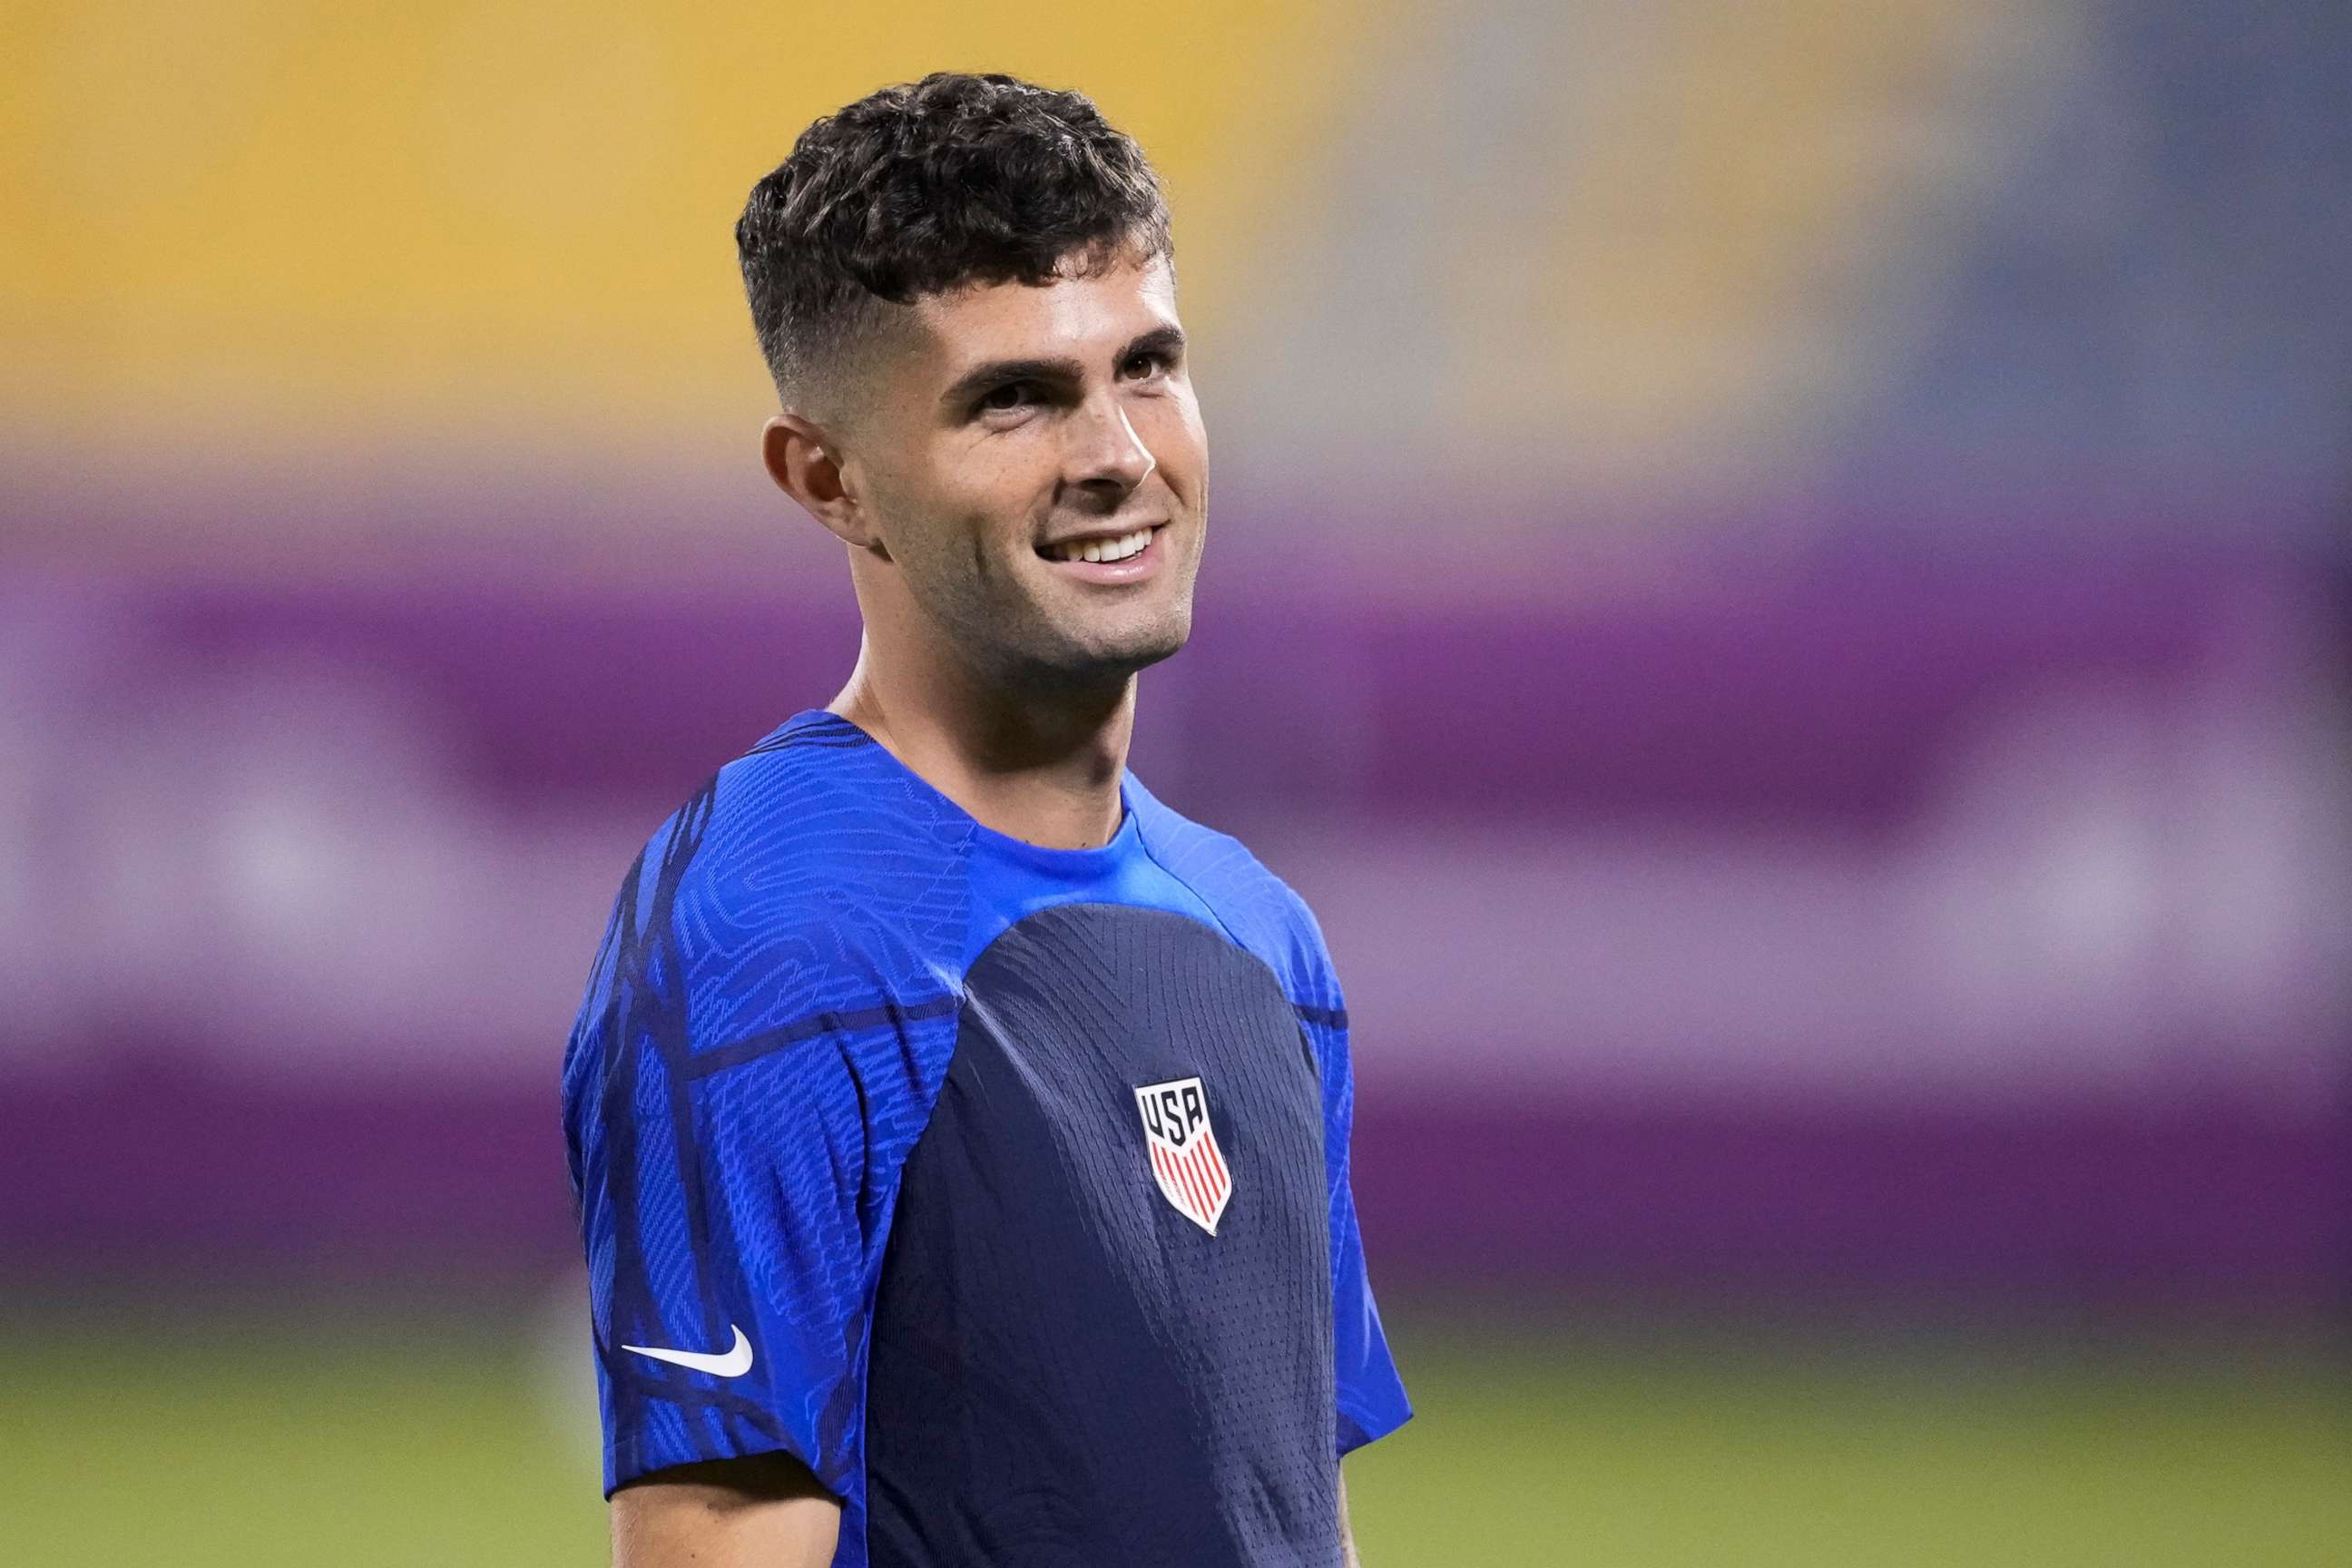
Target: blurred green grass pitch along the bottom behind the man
pixel 453 1445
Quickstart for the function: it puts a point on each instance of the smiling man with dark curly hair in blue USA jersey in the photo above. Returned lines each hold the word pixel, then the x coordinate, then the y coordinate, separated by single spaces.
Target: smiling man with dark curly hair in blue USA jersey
pixel 961 1134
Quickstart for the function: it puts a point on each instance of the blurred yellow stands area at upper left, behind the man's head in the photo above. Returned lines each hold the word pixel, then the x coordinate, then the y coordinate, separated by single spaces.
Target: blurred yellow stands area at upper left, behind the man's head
pixel 514 222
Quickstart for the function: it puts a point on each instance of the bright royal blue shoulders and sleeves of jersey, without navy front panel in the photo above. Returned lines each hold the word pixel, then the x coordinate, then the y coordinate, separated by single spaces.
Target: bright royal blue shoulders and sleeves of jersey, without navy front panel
pixel 768 1028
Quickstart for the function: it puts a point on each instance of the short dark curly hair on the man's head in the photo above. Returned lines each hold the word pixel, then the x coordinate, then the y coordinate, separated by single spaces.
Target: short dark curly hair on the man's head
pixel 930 187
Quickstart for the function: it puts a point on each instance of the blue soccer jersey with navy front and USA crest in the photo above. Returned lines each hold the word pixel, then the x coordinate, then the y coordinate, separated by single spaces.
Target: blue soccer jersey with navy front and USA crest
pixel 1003 1186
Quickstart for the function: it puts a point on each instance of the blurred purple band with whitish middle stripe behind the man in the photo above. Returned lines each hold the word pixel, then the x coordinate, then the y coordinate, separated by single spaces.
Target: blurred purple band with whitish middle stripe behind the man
pixel 1946 934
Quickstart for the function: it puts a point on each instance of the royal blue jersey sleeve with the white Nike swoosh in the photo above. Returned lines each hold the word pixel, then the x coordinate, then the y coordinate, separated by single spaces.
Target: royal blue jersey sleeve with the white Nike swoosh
pixel 721 1207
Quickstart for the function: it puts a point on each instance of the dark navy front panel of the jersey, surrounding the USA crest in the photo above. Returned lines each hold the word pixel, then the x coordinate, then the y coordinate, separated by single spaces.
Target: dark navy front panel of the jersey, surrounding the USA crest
pixel 1067 1369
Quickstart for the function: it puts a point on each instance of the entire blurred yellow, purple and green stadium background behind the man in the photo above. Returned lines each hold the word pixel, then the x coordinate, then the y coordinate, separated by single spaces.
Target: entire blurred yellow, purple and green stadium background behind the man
pixel 1782 582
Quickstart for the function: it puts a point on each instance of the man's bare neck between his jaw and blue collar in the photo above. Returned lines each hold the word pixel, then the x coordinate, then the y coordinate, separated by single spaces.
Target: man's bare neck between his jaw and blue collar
pixel 1036 768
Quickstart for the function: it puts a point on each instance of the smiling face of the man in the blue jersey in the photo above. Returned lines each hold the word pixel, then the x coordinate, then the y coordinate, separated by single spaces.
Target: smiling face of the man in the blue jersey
pixel 1020 431
